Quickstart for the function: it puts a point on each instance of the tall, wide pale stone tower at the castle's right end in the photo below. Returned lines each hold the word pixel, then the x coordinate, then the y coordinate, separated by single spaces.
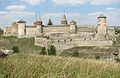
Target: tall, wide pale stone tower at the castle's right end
pixel 102 24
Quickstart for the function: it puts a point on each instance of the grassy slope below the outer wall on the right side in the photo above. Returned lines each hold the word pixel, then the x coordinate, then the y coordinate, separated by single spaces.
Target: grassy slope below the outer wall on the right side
pixel 91 51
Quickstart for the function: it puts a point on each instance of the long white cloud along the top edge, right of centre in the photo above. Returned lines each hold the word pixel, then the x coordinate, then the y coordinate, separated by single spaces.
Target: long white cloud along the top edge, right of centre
pixel 79 2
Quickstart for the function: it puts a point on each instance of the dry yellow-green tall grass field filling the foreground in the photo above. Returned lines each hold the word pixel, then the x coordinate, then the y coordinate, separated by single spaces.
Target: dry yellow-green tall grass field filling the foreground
pixel 36 66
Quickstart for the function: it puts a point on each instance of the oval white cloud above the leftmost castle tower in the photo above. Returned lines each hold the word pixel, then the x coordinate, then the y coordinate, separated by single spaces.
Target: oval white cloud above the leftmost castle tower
pixel 16 8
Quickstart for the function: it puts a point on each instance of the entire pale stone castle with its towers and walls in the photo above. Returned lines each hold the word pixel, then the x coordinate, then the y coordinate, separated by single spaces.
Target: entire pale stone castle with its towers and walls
pixel 65 35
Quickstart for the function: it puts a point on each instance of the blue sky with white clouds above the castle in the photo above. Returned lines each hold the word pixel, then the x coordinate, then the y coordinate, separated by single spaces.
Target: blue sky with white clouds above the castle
pixel 83 11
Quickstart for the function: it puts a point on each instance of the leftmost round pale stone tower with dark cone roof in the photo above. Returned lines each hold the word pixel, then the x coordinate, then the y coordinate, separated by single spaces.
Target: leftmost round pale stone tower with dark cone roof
pixel 21 28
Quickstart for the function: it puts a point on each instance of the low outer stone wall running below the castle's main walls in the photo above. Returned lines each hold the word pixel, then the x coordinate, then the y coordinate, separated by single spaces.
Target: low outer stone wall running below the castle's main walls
pixel 62 45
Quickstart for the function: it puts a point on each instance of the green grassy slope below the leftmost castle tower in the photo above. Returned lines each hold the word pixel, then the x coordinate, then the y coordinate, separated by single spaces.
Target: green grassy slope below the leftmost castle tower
pixel 25 45
